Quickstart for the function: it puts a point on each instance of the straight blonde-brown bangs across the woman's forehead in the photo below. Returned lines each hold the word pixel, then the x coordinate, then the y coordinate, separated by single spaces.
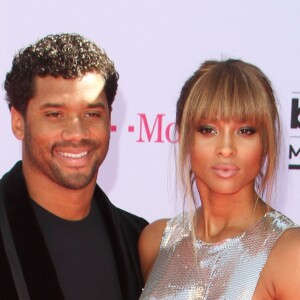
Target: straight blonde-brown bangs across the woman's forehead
pixel 224 94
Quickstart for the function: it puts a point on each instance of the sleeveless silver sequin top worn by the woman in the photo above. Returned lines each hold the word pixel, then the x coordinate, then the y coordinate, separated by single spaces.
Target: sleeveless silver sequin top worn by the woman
pixel 226 270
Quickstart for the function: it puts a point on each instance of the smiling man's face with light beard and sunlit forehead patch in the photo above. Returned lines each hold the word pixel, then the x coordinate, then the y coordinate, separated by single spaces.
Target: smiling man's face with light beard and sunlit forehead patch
pixel 66 130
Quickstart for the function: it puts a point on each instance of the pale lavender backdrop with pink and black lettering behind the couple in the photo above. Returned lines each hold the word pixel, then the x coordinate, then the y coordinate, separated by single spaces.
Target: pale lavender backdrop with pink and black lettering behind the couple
pixel 156 45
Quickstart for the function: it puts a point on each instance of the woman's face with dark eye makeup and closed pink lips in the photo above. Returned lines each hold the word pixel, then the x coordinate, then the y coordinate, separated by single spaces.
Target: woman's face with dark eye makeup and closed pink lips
pixel 225 157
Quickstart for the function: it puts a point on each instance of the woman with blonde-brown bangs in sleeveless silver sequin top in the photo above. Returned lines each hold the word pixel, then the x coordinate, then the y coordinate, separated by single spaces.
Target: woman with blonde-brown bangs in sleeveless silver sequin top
pixel 233 245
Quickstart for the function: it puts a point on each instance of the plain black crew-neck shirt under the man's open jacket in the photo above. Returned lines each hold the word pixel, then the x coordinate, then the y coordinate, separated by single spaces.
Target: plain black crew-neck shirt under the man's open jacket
pixel 82 255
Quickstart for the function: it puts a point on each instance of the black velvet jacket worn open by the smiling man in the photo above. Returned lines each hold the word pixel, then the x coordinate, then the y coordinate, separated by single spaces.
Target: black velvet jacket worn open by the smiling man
pixel 123 229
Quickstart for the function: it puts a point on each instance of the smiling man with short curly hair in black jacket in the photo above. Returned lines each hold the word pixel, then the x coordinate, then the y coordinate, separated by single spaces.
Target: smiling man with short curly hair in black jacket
pixel 71 242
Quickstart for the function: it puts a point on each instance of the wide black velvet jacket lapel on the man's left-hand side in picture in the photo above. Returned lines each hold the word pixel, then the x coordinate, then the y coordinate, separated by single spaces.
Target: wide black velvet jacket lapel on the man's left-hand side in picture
pixel 38 270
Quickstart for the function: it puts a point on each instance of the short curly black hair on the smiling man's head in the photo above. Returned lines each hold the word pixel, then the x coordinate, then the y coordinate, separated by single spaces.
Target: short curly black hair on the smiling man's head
pixel 66 55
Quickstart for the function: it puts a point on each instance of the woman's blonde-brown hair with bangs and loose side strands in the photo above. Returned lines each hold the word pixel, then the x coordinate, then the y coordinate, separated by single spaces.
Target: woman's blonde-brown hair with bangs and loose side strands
pixel 229 90
